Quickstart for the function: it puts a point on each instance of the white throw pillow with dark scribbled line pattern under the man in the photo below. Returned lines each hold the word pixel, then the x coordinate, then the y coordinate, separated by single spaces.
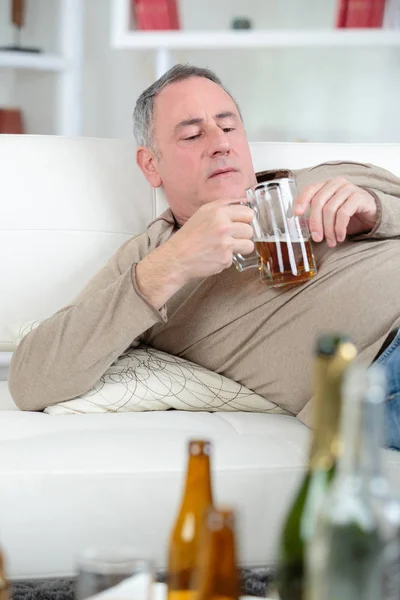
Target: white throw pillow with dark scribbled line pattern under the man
pixel 145 379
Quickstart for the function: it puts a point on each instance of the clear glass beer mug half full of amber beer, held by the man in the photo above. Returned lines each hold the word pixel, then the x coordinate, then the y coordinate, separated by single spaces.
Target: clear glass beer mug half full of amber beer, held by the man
pixel 282 240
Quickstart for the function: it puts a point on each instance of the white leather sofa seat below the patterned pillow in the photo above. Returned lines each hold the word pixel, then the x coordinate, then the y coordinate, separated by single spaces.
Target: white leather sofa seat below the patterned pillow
pixel 70 483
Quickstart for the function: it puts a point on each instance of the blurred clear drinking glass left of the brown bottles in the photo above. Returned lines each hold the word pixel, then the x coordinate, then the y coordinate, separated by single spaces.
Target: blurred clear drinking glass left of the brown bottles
pixel 114 573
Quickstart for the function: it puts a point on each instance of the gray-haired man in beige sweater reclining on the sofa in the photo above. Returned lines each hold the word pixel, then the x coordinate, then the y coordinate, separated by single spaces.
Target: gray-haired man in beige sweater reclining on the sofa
pixel 175 288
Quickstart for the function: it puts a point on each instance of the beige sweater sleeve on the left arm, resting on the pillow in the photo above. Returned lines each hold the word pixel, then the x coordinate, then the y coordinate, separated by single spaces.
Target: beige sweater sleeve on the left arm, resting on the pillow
pixel 69 352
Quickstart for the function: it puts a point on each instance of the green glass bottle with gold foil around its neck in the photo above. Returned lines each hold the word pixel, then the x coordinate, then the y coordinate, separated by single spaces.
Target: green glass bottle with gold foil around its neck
pixel 334 353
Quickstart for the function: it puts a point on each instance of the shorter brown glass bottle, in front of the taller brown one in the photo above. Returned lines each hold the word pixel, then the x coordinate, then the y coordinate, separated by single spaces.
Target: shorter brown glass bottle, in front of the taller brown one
pixel 217 574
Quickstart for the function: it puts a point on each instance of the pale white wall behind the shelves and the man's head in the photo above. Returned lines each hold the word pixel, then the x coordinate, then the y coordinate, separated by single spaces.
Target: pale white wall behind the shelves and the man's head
pixel 314 94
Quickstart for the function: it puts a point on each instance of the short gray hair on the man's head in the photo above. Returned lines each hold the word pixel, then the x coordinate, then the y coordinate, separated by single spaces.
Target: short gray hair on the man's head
pixel 144 109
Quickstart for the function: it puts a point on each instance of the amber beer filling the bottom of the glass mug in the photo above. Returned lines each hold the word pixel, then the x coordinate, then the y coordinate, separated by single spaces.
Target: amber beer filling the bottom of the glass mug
pixel 283 263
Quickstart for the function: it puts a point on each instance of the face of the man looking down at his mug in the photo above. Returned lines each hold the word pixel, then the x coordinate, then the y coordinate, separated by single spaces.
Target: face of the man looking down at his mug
pixel 202 148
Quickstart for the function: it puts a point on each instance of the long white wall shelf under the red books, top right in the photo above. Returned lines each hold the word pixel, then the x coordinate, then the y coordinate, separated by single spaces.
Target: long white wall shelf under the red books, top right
pixel 146 40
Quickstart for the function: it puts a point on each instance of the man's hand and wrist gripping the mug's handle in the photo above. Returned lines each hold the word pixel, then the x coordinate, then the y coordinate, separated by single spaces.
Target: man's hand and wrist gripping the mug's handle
pixel 203 246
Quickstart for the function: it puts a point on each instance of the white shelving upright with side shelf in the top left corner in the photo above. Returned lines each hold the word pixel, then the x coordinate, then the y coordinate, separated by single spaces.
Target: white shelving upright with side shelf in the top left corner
pixel 67 65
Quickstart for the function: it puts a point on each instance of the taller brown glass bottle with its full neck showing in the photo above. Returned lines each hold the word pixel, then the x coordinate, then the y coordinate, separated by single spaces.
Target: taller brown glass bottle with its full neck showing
pixel 184 539
